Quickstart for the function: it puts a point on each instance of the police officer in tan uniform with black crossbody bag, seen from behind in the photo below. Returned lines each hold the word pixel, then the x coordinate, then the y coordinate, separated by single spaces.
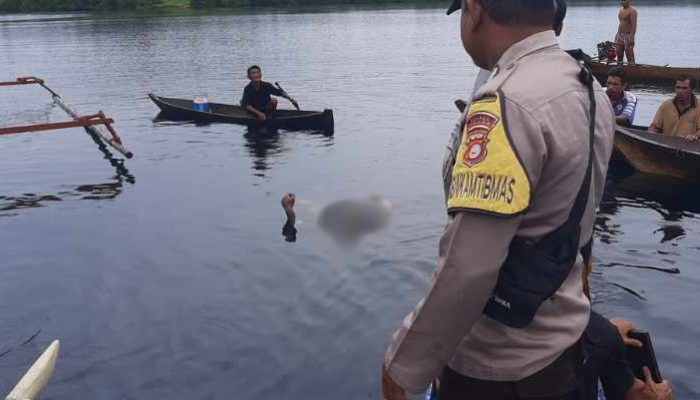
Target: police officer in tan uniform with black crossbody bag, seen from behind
pixel 506 309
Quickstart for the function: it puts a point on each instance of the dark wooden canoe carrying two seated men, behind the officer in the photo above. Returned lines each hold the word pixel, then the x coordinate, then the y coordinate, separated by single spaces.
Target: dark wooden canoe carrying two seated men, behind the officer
pixel 654 153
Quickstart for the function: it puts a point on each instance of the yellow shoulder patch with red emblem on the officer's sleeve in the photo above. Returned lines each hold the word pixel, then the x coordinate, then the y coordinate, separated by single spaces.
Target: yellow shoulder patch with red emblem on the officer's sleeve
pixel 488 176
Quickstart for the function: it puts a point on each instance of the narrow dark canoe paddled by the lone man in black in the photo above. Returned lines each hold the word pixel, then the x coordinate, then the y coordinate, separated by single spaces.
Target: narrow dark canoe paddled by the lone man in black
pixel 183 109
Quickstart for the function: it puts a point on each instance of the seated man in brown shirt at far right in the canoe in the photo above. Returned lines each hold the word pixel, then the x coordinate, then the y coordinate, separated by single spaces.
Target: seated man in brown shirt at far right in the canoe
pixel 679 116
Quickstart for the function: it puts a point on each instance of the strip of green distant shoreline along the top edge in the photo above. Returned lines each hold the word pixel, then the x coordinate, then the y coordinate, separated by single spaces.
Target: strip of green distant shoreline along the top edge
pixel 19 6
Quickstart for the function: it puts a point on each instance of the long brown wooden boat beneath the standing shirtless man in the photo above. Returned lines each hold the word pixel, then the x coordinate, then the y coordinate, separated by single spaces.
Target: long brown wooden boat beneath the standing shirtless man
pixel 642 73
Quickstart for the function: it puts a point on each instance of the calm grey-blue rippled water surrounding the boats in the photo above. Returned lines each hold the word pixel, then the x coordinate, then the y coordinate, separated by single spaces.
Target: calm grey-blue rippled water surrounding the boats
pixel 171 279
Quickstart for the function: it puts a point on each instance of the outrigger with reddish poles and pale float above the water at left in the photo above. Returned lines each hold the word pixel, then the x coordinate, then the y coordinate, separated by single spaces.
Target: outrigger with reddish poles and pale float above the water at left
pixel 90 122
